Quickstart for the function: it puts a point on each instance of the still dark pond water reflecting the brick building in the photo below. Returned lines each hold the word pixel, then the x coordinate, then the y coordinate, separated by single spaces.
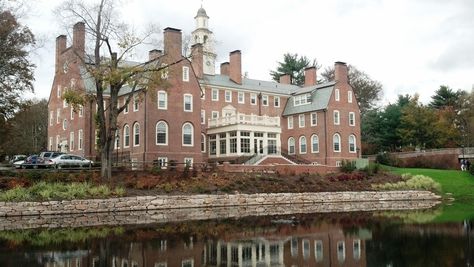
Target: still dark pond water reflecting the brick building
pixel 339 239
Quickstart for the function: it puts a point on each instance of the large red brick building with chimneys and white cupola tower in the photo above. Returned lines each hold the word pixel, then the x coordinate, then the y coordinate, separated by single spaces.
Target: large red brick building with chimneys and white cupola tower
pixel 202 116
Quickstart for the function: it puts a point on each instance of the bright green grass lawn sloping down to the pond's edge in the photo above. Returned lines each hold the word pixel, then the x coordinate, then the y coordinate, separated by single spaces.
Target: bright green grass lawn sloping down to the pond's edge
pixel 459 184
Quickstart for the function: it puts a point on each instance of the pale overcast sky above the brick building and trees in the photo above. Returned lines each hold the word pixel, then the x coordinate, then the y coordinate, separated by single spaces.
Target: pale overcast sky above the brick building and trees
pixel 410 46
